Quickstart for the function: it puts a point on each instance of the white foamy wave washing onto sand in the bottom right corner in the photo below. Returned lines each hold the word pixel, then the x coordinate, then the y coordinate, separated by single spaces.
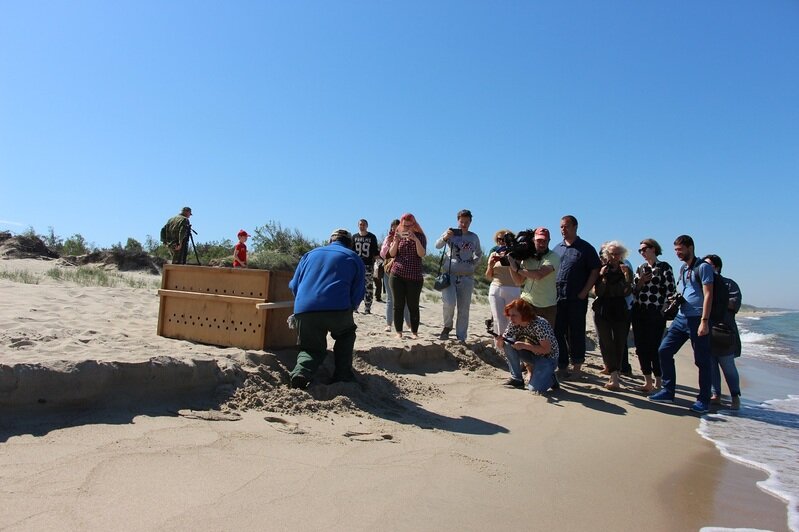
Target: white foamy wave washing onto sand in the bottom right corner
pixel 765 436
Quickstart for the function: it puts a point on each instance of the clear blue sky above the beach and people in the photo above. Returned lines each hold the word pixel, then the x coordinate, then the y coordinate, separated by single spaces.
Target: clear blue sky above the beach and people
pixel 643 119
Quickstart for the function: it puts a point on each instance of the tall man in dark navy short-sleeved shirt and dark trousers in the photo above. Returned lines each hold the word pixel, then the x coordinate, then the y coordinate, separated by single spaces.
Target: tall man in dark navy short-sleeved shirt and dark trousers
pixel 577 273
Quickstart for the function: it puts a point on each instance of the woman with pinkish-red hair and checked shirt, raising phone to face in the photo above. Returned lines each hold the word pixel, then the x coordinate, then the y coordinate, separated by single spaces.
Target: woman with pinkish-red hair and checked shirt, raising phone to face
pixel 406 276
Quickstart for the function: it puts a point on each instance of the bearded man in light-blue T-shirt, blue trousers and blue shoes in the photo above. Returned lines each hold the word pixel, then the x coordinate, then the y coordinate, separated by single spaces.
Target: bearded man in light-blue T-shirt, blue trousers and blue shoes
pixel 692 322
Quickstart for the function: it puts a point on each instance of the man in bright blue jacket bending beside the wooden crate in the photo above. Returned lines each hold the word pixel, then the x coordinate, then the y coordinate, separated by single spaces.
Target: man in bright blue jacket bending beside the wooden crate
pixel 328 286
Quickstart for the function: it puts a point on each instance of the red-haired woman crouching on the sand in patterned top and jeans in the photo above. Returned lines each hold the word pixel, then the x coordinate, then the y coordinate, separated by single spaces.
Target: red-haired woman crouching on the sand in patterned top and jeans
pixel 533 342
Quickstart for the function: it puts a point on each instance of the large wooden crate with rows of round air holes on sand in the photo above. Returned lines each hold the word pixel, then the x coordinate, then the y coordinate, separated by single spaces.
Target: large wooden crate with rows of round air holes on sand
pixel 217 306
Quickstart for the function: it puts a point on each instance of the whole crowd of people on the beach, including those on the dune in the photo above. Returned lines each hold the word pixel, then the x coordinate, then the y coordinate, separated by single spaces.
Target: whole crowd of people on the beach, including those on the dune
pixel 538 303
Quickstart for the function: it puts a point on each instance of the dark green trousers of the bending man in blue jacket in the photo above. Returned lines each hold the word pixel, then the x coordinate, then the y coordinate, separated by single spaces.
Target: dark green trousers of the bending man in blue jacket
pixel 312 330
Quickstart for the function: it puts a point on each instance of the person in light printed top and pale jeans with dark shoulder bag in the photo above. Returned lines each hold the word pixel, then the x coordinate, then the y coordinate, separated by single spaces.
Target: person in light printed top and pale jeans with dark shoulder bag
pixel 463 253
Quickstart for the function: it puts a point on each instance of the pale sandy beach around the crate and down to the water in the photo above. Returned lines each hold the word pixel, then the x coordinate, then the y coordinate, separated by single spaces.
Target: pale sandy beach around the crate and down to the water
pixel 166 434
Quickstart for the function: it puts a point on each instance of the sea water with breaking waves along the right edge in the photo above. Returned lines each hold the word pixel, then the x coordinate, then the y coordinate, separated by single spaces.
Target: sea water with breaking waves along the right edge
pixel 764 433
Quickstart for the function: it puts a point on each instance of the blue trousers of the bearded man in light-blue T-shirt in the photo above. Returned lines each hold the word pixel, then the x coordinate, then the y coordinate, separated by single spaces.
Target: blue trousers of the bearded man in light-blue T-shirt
pixel 682 329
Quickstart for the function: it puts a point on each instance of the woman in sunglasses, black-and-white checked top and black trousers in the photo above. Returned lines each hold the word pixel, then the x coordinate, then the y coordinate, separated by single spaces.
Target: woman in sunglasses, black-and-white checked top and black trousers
pixel 652 285
